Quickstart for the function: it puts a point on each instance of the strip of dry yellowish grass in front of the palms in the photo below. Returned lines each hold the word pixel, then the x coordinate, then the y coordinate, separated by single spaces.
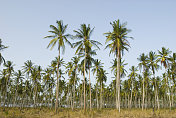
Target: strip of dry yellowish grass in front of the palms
pixel 77 113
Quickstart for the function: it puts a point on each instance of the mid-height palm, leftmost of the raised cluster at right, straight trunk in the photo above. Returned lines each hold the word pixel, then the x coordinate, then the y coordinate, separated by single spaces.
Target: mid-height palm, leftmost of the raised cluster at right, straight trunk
pixel 143 59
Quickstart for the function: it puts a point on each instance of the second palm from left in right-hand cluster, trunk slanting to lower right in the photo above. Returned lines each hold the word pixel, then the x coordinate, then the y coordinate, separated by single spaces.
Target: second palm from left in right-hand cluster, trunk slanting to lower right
pixel 153 65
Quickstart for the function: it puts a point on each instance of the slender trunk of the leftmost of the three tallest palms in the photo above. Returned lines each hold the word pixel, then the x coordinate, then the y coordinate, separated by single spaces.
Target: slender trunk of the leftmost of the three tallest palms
pixel 57 84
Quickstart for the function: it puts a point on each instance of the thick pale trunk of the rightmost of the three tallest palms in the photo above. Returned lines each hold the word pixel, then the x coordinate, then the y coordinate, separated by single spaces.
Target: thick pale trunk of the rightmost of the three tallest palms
pixel 118 81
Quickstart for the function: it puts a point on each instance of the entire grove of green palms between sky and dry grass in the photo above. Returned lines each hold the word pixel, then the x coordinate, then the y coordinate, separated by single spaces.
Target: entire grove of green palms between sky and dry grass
pixel 34 86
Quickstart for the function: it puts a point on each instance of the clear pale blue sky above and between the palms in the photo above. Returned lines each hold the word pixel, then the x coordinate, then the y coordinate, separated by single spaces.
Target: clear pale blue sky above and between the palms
pixel 23 24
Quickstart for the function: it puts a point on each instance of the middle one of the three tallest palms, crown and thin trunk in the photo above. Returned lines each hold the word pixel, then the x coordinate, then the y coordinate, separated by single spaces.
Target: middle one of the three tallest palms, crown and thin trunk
pixel 84 34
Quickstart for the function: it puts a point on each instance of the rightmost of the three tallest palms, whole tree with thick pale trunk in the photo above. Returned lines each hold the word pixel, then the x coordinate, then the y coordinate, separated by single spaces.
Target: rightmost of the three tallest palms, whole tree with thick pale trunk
pixel 118 43
